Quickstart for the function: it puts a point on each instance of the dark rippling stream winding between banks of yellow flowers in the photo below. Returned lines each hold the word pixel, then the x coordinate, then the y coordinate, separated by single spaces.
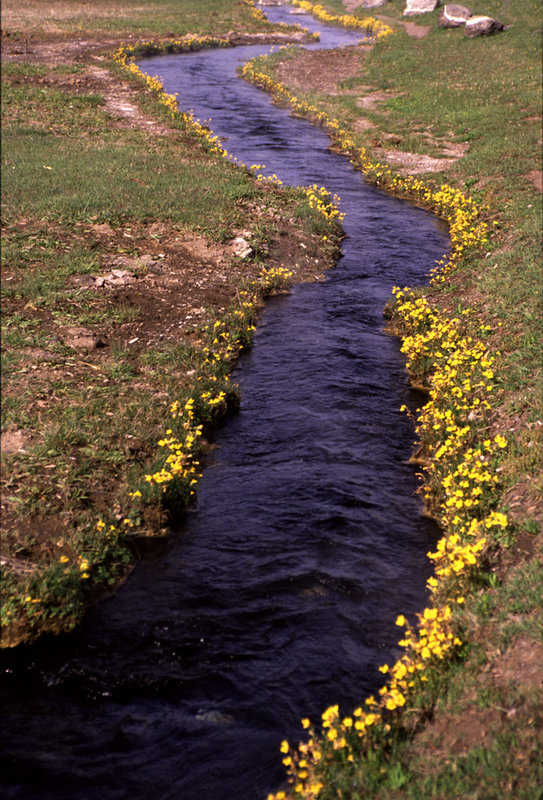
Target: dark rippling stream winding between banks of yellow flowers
pixel 278 596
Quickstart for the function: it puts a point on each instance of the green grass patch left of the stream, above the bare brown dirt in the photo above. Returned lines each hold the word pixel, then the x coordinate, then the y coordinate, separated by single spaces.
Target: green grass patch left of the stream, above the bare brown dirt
pixel 118 177
